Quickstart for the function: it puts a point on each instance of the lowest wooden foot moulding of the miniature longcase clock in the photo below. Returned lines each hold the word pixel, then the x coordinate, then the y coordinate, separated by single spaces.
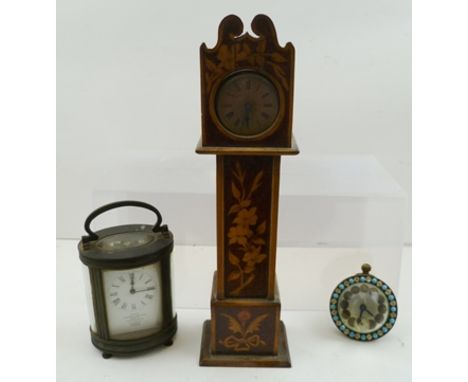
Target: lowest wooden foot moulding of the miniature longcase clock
pixel 282 359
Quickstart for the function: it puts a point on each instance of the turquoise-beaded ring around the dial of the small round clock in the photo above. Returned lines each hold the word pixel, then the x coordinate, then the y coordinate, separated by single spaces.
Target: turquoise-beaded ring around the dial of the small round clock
pixel 352 333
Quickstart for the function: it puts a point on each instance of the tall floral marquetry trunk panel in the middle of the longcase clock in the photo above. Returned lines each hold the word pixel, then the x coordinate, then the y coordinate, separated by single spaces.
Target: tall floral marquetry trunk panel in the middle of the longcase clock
pixel 248 252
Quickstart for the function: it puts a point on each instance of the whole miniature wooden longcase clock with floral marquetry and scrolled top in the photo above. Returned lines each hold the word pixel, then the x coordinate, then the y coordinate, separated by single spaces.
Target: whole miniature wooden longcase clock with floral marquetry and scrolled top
pixel 247 97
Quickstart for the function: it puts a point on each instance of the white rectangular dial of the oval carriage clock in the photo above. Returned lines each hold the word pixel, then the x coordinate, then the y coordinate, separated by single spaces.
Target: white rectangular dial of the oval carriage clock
pixel 133 301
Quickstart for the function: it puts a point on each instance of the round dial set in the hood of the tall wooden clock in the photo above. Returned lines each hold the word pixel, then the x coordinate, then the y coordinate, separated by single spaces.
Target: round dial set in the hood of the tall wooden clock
pixel 247 104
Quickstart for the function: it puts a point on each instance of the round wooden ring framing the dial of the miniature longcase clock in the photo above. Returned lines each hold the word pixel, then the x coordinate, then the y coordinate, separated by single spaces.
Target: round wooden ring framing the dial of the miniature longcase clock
pixel 228 133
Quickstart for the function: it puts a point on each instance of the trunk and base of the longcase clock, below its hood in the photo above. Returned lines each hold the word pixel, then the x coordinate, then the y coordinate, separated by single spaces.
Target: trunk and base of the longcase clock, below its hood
pixel 245 327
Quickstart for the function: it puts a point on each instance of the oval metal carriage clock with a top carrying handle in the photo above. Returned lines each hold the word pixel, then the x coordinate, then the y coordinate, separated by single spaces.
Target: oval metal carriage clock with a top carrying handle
pixel 127 277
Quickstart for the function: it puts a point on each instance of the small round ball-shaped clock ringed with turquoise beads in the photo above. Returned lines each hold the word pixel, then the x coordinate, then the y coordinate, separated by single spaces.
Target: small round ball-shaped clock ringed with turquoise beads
pixel 363 307
